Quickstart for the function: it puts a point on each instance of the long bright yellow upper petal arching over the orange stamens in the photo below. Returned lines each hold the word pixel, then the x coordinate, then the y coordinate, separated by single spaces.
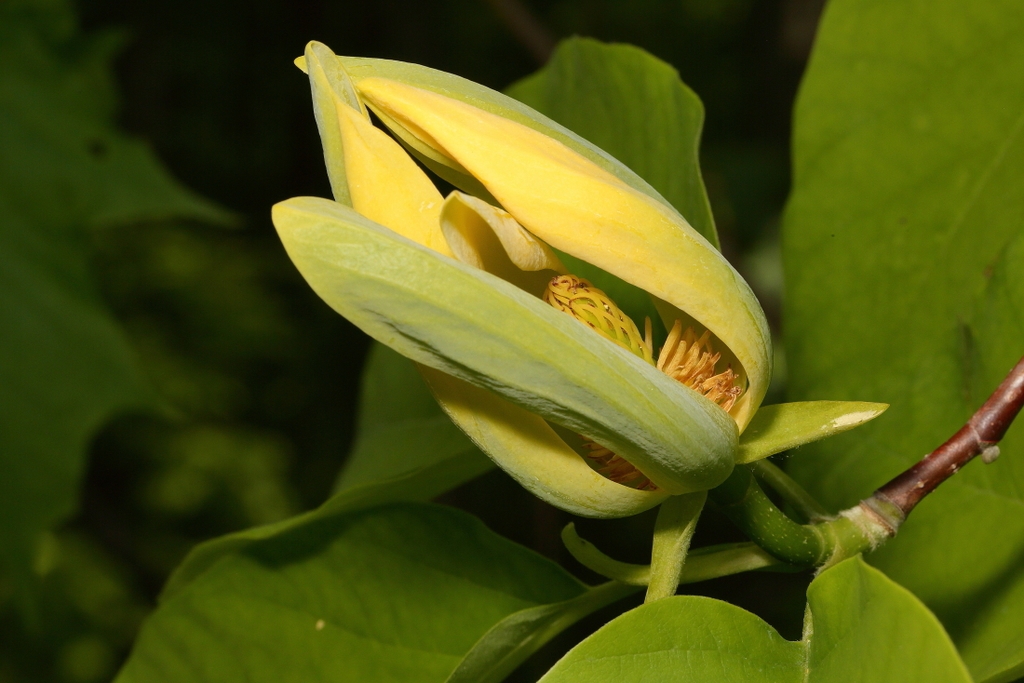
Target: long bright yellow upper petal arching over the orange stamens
pixel 580 208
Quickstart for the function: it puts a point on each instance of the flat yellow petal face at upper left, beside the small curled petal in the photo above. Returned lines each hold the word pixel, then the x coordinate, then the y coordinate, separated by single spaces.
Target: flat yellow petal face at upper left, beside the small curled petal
pixel 387 186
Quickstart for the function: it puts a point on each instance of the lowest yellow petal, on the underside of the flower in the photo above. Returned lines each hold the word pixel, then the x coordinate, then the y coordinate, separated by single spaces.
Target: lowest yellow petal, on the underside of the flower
pixel 526 447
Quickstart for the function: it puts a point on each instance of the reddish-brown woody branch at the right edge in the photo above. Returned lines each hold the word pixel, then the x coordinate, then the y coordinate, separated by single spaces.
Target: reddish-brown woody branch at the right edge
pixel 978 437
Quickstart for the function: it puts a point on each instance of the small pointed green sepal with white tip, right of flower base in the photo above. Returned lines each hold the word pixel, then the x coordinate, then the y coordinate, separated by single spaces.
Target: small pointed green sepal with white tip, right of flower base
pixel 779 429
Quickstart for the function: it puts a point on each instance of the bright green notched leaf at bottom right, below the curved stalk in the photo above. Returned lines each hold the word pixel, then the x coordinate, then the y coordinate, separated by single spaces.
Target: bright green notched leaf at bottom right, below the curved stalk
pixel 860 626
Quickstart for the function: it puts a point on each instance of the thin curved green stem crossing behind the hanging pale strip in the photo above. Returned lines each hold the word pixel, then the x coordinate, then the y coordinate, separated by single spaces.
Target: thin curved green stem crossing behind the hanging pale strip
pixel 702 564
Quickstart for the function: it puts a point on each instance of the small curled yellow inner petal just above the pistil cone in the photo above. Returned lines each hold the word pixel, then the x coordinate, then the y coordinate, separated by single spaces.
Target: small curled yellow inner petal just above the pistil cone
pixel 490 239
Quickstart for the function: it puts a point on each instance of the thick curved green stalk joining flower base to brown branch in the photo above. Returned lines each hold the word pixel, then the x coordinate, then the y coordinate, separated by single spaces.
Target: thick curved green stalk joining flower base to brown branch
pixel 824 544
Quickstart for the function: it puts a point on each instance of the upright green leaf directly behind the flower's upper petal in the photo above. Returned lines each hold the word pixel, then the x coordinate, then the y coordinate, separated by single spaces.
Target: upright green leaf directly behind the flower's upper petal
pixel 634 107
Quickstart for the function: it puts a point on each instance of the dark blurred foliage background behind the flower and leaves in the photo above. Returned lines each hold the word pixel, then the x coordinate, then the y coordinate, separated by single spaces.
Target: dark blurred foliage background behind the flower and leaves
pixel 255 378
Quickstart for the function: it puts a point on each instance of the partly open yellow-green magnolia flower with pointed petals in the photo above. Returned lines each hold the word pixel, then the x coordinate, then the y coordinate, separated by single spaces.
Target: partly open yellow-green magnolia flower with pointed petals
pixel 455 285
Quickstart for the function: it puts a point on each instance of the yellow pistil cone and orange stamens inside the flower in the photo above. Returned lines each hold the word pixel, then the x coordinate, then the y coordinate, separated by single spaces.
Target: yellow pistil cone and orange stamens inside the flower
pixel 686 358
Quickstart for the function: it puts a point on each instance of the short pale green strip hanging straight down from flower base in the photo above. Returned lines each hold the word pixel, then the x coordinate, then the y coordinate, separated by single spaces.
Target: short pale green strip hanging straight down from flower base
pixel 677 520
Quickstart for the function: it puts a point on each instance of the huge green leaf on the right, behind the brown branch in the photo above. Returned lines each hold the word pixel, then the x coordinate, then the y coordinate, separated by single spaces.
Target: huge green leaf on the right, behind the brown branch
pixel 909 167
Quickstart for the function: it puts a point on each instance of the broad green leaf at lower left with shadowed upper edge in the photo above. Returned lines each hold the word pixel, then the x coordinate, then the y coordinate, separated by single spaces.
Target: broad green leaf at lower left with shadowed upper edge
pixel 400 593
